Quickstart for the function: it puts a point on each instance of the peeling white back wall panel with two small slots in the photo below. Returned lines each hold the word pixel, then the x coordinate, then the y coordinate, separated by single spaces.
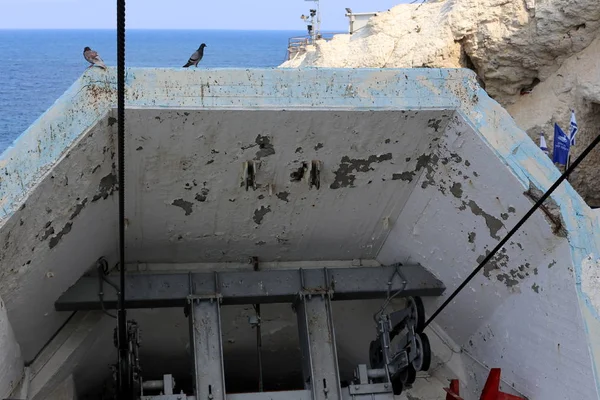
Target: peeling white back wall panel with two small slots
pixel 185 203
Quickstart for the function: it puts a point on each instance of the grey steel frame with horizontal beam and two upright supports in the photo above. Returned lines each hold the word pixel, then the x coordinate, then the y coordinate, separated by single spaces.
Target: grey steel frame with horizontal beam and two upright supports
pixel 311 292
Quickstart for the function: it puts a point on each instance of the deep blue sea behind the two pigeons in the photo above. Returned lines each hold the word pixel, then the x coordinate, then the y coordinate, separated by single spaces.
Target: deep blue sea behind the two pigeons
pixel 38 66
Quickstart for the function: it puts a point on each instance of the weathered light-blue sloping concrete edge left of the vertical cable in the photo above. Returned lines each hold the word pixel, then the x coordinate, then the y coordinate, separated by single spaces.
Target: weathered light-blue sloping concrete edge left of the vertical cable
pixel 35 151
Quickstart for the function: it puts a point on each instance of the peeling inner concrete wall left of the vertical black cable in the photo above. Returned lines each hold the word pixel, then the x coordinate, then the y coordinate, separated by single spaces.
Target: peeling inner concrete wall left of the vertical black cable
pixel 66 223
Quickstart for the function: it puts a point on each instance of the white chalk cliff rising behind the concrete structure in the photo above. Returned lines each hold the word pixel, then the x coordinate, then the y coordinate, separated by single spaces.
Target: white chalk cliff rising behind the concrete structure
pixel 538 59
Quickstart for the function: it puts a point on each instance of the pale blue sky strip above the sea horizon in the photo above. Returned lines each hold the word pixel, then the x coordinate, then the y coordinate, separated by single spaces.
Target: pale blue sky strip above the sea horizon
pixel 180 14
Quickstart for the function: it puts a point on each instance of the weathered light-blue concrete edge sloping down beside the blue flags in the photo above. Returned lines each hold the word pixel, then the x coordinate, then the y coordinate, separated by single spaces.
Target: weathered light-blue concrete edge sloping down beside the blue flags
pixel 530 165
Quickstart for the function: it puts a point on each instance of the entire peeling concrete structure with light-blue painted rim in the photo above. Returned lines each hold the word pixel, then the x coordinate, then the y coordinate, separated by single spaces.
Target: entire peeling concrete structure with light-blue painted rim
pixel 417 166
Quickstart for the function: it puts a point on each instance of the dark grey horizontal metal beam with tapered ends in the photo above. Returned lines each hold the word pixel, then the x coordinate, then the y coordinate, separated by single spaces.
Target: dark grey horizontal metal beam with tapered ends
pixel 255 287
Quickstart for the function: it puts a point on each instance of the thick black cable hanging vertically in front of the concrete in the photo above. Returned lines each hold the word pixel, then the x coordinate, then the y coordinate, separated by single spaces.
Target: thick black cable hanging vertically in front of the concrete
pixel 125 389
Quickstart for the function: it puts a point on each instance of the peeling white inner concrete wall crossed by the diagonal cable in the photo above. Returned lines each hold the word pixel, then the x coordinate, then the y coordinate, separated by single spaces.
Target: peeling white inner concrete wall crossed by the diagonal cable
pixel 523 312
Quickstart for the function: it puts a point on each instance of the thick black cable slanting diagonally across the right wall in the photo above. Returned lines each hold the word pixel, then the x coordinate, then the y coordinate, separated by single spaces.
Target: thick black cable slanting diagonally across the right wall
pixel 529 213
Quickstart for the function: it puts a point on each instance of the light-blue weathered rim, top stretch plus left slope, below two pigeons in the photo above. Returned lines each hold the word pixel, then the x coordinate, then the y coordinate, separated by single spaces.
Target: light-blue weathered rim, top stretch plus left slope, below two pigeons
pixel 90 98
